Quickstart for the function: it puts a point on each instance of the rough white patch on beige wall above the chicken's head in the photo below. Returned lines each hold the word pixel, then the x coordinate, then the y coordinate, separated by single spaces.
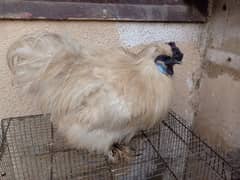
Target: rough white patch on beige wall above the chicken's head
pixel 136 33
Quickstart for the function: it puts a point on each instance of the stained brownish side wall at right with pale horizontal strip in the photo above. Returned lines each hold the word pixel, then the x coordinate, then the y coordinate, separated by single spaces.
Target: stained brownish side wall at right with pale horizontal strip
pixel 218 119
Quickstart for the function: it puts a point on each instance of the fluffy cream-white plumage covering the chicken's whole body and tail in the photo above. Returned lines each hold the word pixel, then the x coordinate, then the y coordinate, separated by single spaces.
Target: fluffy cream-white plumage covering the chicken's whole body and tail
pixel 95 97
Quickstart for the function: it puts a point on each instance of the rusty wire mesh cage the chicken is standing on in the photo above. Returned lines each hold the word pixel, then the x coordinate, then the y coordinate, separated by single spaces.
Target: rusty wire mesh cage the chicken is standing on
pixel 31 149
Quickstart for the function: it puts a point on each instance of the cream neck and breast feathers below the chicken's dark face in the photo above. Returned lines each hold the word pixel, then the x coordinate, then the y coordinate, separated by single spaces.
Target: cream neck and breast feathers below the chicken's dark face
pixel 153 91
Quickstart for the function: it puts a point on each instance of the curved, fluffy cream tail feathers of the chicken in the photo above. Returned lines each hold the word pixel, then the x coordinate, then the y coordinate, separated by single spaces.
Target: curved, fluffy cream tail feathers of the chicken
pixel 29 57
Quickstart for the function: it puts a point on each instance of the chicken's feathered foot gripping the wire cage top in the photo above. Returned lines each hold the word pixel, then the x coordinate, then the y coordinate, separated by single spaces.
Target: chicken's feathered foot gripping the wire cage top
pixel 120 152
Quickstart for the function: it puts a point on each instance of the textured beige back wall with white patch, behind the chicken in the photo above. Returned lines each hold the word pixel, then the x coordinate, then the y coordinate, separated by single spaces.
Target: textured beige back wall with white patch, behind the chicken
pixel 106 34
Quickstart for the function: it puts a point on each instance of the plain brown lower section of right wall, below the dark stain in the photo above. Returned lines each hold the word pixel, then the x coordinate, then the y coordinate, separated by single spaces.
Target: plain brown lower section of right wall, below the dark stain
pixel 218 120
